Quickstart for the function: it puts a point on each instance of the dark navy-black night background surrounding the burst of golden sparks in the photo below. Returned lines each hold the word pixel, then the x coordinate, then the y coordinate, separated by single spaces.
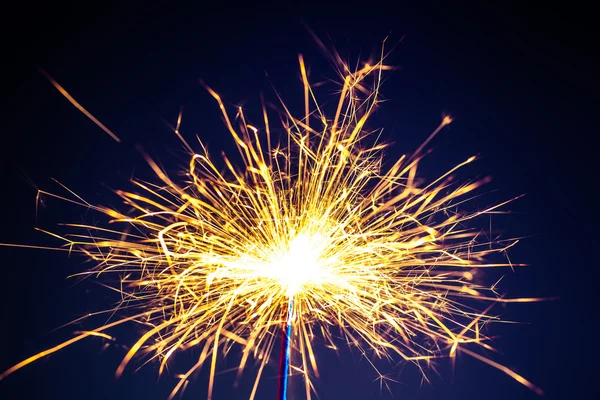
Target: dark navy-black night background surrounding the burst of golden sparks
pixel 519 82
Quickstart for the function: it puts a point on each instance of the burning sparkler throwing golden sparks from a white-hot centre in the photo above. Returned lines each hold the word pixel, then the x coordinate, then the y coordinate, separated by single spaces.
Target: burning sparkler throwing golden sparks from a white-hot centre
pixel 316 235
